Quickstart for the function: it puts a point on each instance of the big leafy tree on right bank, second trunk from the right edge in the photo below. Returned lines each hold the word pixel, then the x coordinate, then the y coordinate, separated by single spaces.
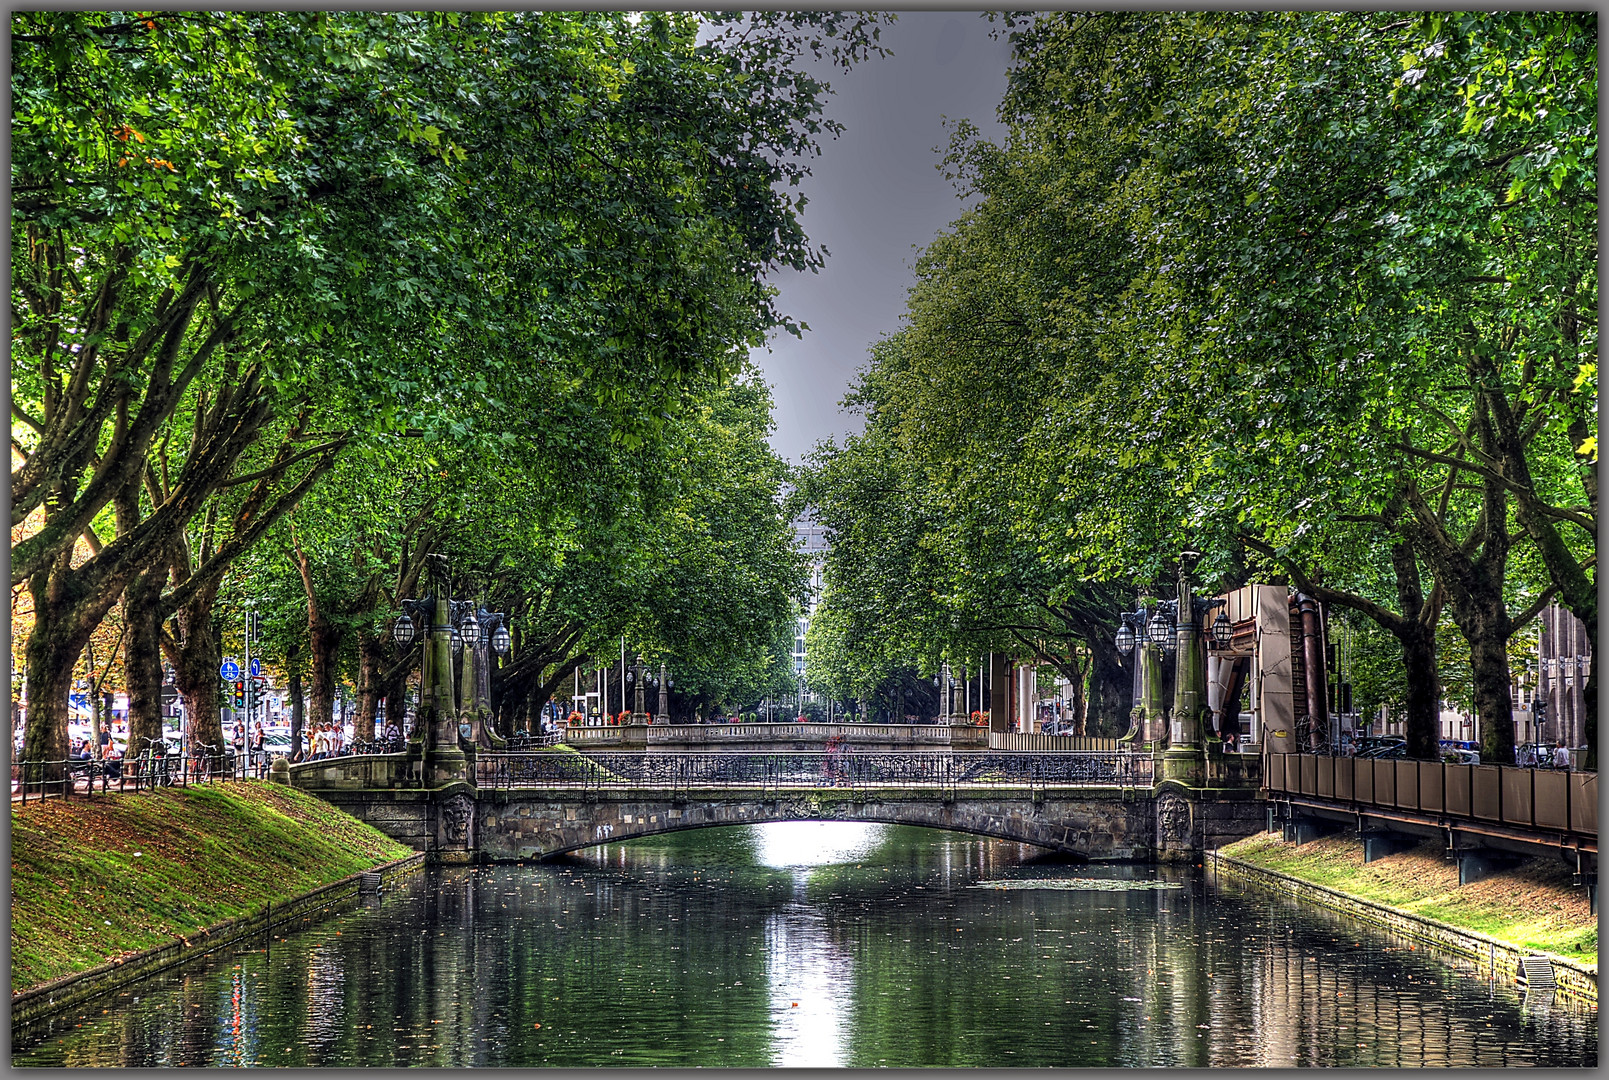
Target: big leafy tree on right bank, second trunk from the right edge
pixel 1264 233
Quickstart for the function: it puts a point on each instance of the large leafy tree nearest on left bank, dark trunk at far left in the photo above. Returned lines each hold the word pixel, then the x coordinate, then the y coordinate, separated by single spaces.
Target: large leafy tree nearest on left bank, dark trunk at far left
pixel 392 204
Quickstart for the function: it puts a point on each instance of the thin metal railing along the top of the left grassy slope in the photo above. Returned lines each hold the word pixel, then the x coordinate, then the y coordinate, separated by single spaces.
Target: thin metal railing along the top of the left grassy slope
pixel 152 769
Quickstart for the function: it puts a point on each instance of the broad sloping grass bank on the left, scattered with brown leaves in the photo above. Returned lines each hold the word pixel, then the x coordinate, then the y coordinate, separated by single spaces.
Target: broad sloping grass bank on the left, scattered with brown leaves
pixel 93 881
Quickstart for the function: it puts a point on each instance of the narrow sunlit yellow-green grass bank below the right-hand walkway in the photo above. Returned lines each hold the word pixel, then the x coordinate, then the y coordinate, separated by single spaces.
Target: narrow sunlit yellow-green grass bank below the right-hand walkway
pixel 1531 907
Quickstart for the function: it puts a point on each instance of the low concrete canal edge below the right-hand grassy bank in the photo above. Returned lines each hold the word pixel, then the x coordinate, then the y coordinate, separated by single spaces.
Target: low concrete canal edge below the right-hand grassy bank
pixel 1489 955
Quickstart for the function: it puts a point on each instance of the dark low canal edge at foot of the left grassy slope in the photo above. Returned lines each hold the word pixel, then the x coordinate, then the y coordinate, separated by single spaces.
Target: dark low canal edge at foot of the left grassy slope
pixel 67 992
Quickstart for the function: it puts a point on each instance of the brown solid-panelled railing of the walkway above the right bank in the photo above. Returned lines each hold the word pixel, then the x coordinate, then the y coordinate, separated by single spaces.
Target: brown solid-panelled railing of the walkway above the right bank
pixel 1549 801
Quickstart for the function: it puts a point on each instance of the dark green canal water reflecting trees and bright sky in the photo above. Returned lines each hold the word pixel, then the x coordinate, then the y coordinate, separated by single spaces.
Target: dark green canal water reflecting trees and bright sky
pixel 821 944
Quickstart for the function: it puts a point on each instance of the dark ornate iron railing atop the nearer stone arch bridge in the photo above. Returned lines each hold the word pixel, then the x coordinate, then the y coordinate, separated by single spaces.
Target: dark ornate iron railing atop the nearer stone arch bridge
pixel 812 770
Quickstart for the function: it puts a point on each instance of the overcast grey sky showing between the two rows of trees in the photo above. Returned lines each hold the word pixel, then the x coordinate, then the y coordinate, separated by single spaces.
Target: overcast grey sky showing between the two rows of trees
pixel 876 197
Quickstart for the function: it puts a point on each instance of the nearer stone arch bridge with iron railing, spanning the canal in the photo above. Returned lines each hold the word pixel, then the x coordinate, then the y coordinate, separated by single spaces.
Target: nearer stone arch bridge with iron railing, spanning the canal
pixel 529 807
